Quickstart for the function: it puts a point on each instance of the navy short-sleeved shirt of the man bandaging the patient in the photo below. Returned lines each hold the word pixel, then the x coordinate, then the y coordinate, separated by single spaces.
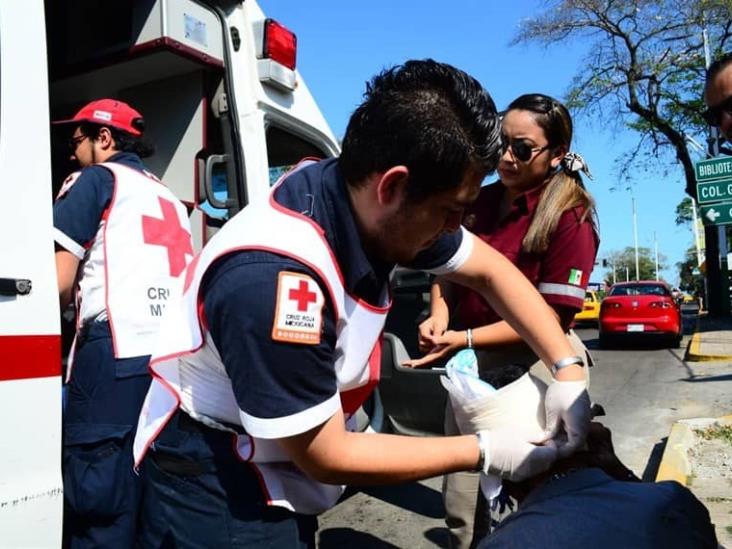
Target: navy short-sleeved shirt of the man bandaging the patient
pixel 272 379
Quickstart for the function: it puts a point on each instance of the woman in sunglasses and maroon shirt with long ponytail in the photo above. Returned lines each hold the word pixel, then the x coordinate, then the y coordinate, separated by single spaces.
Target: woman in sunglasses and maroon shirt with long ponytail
pixel 542 218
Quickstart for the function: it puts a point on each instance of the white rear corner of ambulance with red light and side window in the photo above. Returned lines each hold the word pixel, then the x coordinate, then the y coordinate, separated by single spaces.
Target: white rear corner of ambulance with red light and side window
pixel 271 119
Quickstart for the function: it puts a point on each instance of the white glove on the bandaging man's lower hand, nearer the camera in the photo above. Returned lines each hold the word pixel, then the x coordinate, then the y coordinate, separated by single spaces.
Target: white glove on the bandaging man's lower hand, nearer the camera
pixel 513 458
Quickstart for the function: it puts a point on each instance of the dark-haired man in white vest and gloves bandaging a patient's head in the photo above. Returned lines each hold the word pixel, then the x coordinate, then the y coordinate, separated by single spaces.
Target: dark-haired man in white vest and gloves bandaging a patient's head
pixel 251 394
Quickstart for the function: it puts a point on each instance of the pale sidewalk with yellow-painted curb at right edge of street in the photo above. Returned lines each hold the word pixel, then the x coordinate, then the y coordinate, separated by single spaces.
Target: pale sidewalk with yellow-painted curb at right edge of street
pixel 690 457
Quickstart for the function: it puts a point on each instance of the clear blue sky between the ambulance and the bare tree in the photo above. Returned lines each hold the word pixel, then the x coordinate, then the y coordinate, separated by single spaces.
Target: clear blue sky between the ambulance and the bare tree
pixel 341 44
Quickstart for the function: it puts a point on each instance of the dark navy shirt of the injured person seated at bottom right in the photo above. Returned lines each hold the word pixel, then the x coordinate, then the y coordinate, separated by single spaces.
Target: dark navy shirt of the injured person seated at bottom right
pixel 587 508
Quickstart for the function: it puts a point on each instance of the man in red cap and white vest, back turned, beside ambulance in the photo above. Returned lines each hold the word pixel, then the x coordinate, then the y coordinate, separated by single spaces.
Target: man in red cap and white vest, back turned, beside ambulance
pixel 122 242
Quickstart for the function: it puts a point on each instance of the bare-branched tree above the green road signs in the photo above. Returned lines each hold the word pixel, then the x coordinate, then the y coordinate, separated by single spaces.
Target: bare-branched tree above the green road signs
pixel 645 68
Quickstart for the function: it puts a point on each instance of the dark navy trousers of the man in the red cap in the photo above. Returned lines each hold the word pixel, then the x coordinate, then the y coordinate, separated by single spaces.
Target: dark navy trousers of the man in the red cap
pixel 103 400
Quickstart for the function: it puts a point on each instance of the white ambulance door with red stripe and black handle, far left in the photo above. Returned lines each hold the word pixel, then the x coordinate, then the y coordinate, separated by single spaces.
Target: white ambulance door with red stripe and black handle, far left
pixel 31 498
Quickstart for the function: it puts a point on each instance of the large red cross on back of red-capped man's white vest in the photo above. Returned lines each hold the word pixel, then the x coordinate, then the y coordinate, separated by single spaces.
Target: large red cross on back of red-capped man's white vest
pixel 169 233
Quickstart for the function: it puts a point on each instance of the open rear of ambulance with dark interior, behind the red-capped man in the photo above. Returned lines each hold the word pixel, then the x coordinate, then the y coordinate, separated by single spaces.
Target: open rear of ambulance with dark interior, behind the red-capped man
pixel 226 120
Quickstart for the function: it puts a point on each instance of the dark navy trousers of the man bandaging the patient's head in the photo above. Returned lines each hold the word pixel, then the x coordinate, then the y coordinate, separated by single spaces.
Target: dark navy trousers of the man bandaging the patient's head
pixel 198 494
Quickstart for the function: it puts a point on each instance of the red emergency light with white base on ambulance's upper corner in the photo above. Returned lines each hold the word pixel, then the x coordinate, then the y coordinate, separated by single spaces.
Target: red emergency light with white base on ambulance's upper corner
pixel 276 54
